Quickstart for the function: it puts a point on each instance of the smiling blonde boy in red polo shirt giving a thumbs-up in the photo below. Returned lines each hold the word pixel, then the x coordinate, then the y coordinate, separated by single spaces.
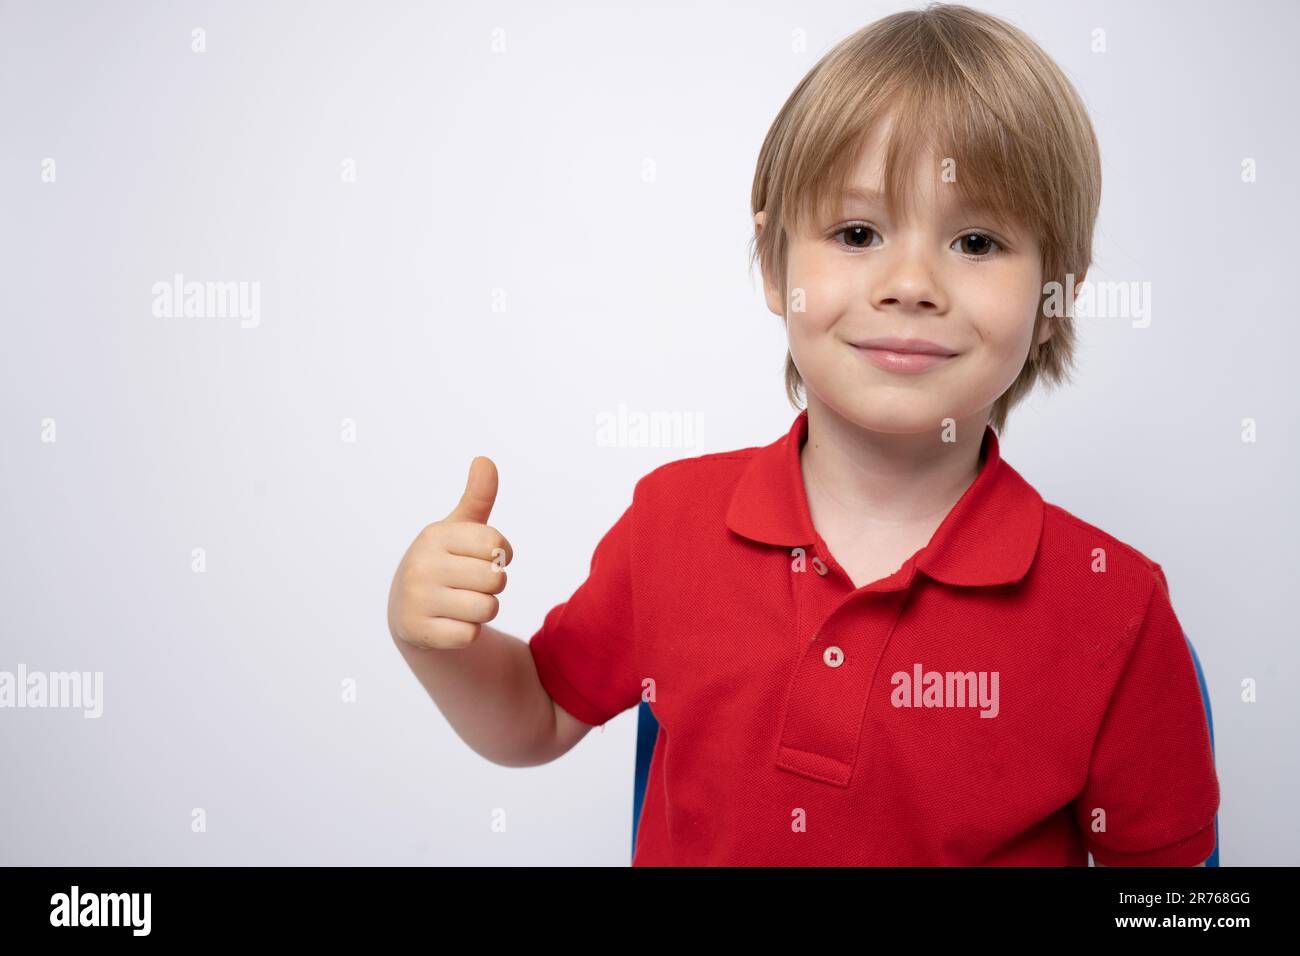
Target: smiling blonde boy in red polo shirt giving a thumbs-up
pixel 872 642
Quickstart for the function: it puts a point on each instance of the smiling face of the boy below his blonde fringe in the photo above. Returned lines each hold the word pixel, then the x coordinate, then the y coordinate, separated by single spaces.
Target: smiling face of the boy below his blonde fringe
pixel 964 282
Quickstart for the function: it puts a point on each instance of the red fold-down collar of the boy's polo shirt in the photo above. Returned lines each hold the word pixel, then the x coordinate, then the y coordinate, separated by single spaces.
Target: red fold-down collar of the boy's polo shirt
pixel 990 537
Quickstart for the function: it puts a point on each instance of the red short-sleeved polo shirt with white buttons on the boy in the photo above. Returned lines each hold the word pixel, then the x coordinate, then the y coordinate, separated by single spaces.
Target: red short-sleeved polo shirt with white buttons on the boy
pixel 1019 693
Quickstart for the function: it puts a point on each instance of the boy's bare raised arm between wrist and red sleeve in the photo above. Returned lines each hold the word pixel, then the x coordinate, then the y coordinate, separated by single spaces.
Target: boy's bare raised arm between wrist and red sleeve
pixel 492 697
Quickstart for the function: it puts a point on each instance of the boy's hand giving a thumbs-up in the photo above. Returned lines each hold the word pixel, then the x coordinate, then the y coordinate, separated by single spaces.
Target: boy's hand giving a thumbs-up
pixel 444 590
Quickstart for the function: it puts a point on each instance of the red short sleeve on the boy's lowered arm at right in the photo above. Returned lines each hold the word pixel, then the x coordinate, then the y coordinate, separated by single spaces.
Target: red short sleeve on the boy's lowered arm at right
pixel 1152 767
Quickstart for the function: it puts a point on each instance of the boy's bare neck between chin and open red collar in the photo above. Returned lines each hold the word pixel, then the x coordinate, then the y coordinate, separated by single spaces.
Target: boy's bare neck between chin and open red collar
pixel 853 475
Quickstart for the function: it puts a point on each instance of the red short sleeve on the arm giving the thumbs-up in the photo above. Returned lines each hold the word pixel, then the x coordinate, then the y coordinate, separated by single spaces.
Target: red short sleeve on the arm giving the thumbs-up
pixel 586 647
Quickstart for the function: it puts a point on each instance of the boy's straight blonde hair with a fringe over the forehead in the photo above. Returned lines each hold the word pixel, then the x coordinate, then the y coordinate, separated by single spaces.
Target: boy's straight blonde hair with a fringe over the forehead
pixel 980 92
